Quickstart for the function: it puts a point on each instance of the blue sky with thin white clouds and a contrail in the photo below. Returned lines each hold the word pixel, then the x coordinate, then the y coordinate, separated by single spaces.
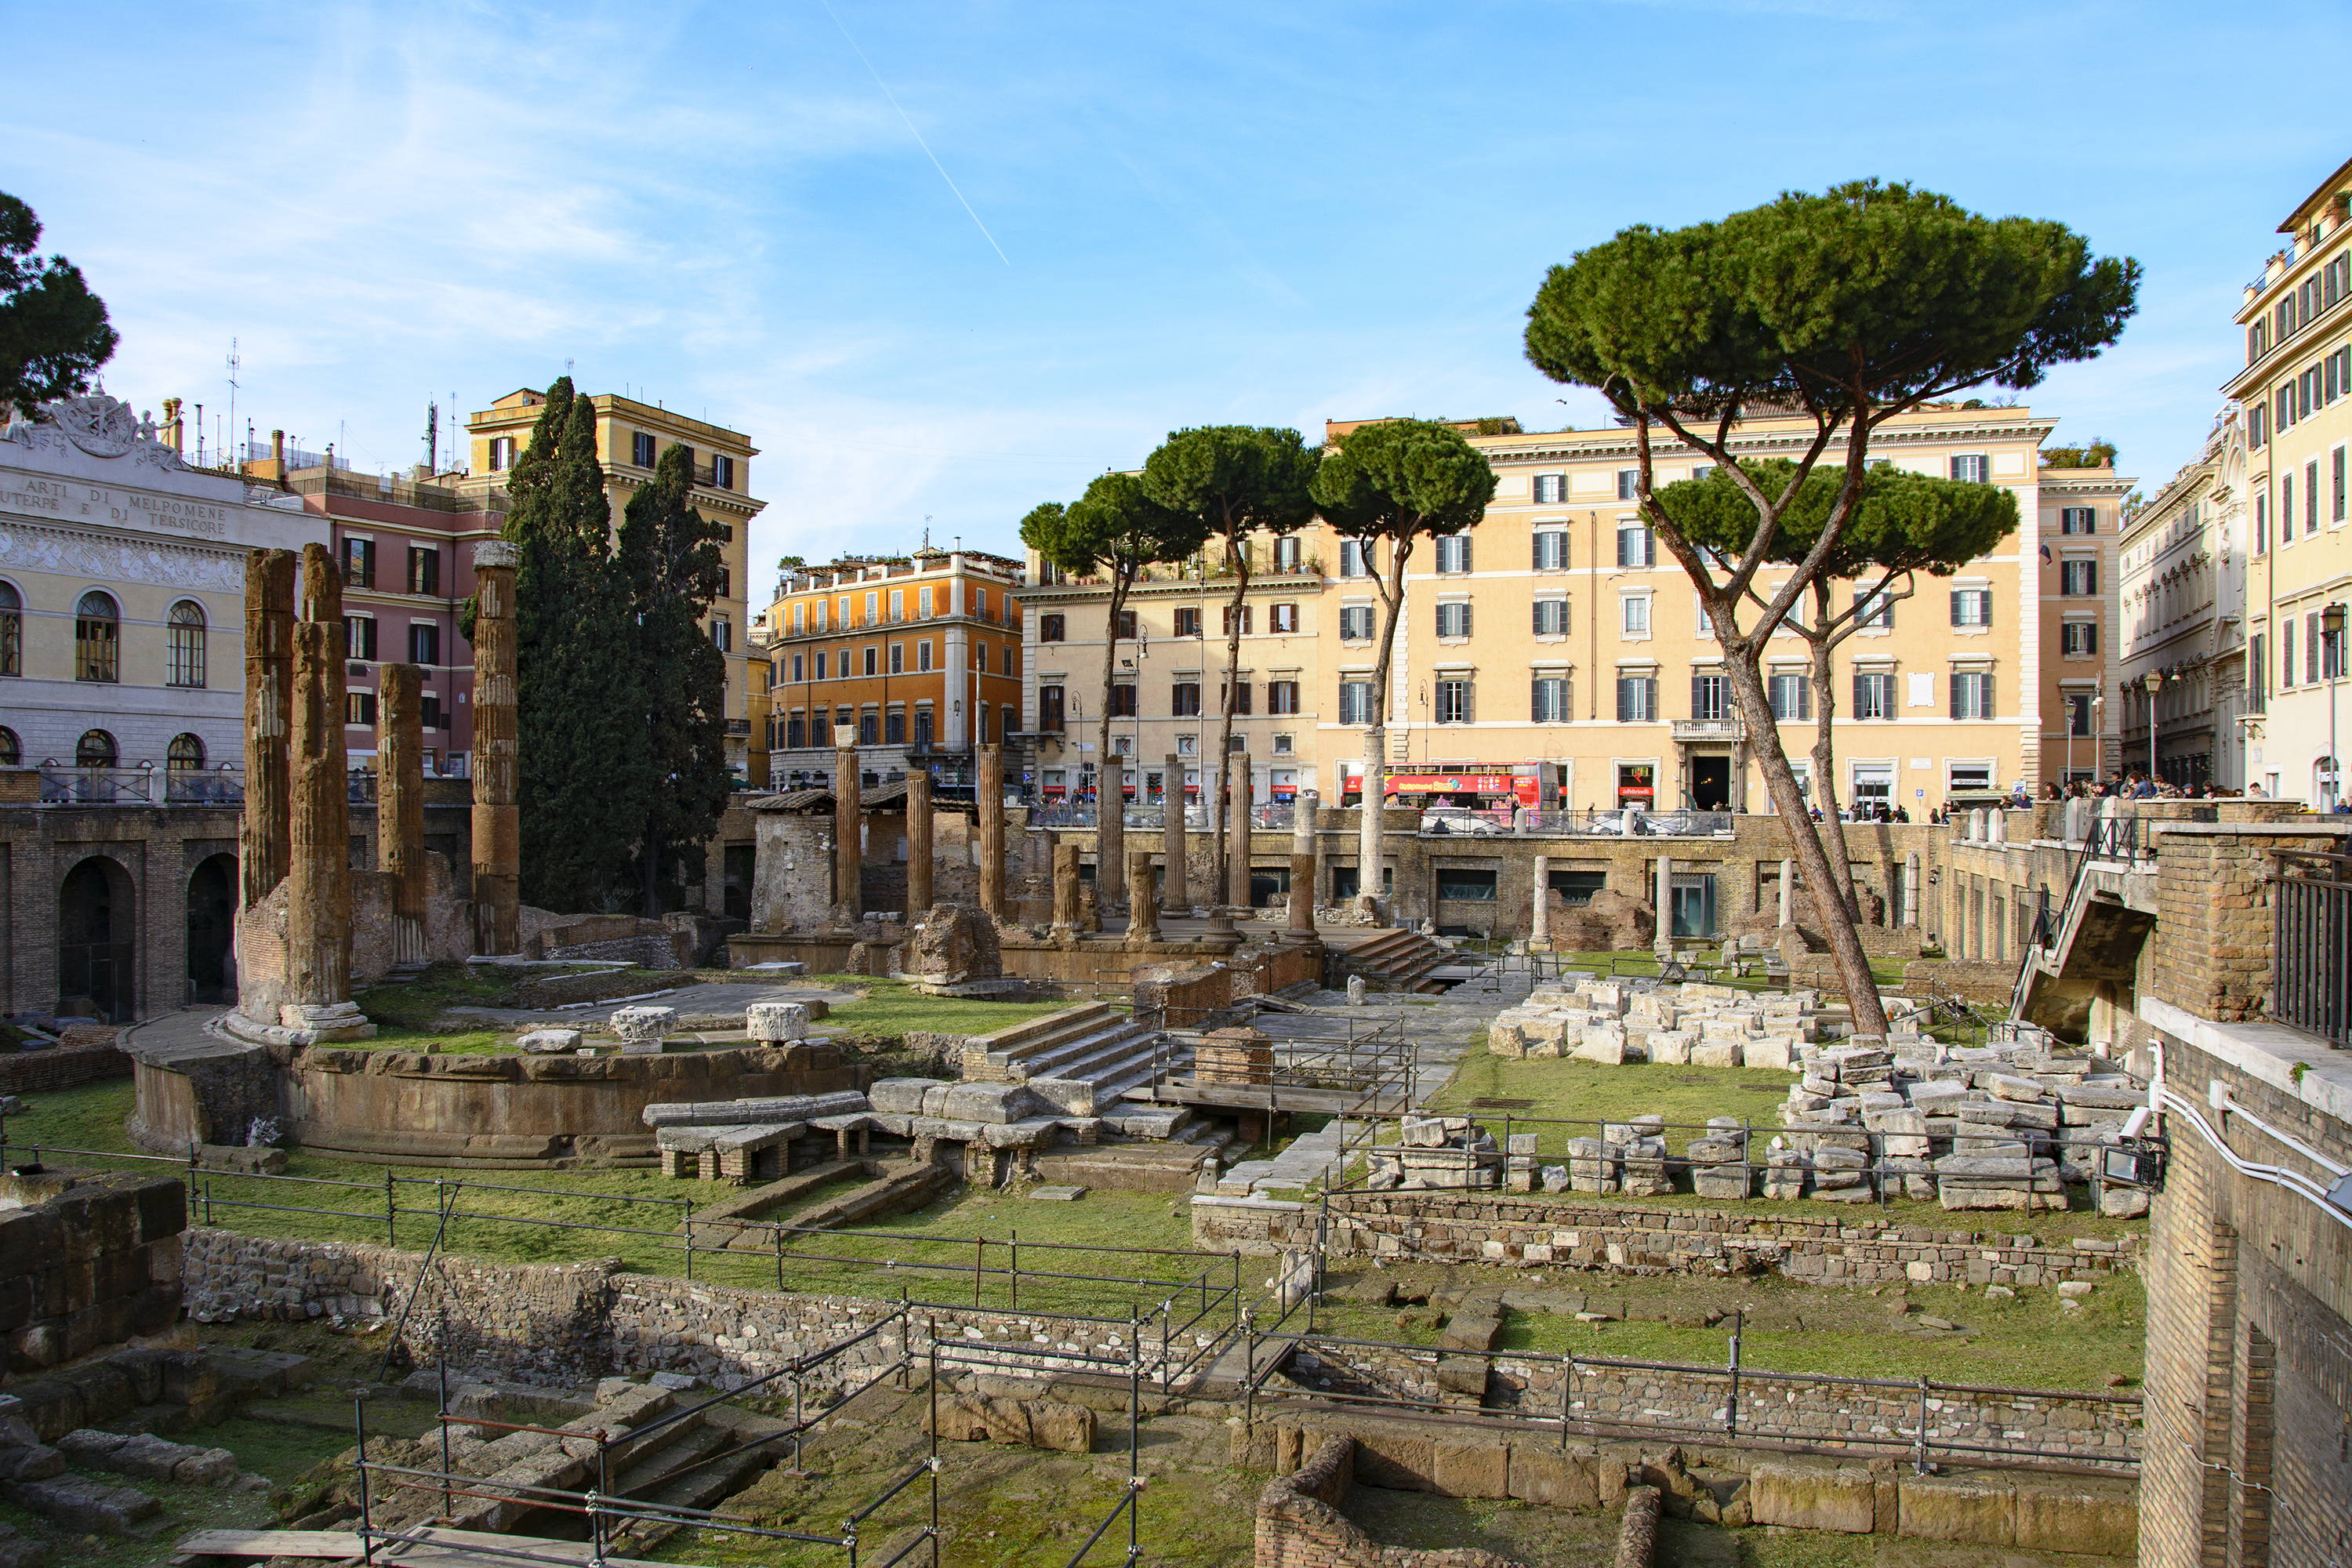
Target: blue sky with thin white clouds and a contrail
pixel 1158 215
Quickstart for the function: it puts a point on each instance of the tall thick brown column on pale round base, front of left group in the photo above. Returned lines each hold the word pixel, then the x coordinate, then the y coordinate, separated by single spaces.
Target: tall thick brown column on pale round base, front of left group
pixel 319 812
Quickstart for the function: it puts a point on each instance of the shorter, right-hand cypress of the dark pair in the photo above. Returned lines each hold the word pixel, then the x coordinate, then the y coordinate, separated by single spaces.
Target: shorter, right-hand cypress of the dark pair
pixel 671 565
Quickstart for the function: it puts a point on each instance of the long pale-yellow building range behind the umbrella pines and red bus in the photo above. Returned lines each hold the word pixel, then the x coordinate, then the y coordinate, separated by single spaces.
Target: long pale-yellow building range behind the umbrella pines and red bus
pixel 1558 643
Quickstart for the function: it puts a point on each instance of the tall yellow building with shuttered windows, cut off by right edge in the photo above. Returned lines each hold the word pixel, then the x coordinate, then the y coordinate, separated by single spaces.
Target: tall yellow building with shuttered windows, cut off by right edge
pixel 2299 431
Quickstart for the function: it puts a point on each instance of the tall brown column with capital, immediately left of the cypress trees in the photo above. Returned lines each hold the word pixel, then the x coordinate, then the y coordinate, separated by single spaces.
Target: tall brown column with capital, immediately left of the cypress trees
pixel 497 822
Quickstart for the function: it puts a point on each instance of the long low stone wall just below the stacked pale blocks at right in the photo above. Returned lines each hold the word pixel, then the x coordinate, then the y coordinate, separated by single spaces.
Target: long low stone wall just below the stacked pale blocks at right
pixel 1631 1240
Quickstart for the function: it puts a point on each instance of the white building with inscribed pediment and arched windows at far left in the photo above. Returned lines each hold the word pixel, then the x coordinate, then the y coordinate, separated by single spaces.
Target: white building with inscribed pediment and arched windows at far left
pixel 123 603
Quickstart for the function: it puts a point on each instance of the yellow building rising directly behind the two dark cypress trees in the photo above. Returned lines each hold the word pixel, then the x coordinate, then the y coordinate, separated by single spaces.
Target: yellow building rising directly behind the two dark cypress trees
pixel 632 438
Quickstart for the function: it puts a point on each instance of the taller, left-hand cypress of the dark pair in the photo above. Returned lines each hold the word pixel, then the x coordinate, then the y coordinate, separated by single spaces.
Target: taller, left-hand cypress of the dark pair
pixel 577 678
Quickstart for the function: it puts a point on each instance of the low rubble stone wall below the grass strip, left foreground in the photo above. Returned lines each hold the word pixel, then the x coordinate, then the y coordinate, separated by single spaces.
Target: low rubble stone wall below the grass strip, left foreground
pixel 568 1322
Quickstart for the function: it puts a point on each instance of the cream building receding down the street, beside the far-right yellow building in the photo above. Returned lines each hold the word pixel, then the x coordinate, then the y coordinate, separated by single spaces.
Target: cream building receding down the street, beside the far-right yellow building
pixel 2181 619
